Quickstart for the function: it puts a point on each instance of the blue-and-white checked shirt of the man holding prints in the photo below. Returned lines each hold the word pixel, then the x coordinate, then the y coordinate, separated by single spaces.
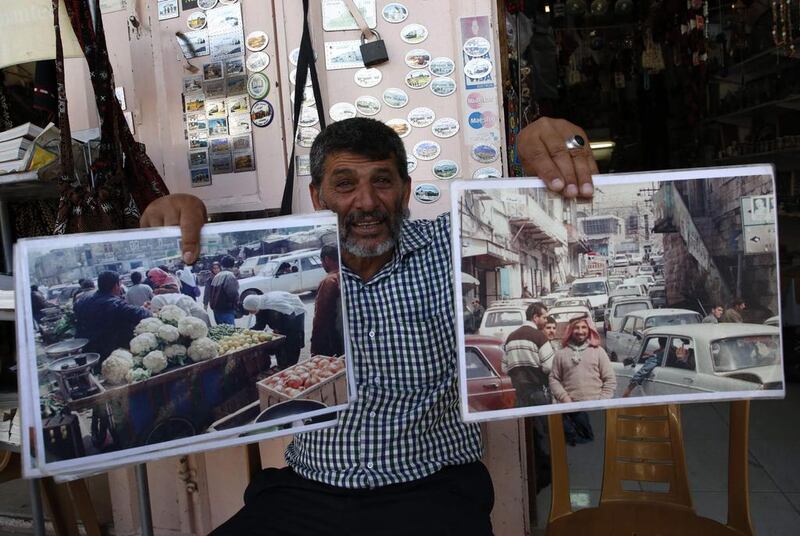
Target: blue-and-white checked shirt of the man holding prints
pixel 405 423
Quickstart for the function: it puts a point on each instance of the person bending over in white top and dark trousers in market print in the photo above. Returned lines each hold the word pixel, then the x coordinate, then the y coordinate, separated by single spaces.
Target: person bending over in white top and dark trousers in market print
pixel 285 314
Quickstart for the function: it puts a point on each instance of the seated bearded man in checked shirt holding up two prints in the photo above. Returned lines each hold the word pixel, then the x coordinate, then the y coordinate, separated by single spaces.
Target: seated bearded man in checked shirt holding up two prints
pixel 403 436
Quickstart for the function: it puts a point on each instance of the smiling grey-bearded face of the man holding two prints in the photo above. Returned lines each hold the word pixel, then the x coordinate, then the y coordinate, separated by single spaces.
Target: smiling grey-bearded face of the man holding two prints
pixel 370 199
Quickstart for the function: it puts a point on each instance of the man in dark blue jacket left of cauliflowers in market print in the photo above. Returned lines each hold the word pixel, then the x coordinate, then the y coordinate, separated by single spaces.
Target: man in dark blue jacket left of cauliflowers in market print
pixel 106 319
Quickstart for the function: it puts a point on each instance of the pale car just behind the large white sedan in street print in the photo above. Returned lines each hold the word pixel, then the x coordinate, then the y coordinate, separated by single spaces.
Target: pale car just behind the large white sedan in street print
pixel 624 343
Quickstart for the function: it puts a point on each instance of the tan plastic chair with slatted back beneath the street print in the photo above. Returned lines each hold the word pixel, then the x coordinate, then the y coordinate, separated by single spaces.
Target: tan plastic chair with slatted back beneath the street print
pixel 644 450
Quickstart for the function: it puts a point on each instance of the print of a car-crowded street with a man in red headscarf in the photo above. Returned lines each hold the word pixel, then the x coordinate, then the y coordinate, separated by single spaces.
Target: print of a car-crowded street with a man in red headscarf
pixel 660 289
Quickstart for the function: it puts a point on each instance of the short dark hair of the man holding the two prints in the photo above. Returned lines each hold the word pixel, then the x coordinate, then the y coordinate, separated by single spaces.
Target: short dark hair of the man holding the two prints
pixel 358 135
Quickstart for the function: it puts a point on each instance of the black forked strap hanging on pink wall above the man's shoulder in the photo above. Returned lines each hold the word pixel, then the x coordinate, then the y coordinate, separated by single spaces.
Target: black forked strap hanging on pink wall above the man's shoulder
pixel 305 63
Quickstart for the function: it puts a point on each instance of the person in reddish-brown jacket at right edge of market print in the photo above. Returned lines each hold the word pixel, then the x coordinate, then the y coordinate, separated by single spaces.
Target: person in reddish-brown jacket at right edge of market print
pixel 326 328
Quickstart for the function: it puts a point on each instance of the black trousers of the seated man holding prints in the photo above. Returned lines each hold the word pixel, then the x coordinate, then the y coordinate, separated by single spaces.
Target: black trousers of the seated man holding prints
pixel 455 501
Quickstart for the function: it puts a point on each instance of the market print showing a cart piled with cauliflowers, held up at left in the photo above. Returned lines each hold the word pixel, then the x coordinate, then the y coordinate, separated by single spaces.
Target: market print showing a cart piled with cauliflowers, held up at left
pixel 130 351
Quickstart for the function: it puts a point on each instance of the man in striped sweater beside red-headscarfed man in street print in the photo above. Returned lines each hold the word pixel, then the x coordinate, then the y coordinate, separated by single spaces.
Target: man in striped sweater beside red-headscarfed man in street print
pixel 528 358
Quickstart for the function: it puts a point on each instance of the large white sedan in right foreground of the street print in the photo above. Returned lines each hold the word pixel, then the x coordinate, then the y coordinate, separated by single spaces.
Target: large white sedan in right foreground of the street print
pixel 696 359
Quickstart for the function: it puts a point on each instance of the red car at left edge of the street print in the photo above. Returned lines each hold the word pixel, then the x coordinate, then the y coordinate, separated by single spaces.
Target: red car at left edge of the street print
pixel 488 388
